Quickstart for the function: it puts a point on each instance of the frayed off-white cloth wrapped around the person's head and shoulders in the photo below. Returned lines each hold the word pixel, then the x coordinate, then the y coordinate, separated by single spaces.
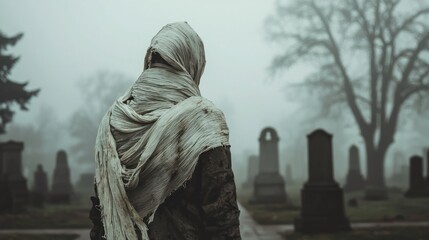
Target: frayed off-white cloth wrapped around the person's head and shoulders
pixel 149 141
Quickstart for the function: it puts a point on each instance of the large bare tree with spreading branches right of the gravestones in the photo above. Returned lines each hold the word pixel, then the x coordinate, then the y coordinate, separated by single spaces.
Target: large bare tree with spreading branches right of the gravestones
pixel 372 56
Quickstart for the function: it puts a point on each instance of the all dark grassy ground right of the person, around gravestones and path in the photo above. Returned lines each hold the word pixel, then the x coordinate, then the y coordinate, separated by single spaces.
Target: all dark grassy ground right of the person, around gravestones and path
pixel 397 209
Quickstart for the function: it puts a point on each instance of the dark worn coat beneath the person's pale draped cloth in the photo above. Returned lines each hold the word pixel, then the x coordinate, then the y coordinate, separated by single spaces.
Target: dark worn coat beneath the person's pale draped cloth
pixel 206 208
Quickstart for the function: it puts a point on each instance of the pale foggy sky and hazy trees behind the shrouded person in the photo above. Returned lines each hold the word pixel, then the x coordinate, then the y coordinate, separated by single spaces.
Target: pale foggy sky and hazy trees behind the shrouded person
pixel 85 54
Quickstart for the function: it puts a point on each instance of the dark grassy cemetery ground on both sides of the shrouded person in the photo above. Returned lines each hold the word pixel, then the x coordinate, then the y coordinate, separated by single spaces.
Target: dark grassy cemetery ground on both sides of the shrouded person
pixel 397 209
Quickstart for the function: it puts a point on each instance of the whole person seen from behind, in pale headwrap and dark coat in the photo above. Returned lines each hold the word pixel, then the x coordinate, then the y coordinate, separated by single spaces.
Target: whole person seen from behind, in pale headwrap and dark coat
pixel 163 165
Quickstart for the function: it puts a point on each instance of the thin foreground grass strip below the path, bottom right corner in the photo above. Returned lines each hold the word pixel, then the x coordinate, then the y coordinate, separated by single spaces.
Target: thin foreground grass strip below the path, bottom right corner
pixel 414 233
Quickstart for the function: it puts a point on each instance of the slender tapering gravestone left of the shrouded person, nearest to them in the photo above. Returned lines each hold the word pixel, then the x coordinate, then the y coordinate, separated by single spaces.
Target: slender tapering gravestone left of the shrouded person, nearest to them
pixel 61 187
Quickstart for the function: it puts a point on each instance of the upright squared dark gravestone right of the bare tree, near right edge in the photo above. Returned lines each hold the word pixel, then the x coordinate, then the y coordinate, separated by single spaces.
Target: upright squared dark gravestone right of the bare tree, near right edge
pixel 417 183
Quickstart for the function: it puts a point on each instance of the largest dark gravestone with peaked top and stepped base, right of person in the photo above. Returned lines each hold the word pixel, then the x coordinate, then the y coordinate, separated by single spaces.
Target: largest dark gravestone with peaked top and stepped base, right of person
pixel 322 203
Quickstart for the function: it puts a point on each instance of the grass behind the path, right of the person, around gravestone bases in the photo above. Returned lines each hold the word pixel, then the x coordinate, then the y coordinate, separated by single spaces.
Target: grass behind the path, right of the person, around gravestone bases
pixel 397 207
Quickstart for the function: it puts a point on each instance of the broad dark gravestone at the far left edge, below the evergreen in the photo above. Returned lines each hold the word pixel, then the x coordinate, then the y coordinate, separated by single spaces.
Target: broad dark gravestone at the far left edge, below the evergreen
pixel 11 159
